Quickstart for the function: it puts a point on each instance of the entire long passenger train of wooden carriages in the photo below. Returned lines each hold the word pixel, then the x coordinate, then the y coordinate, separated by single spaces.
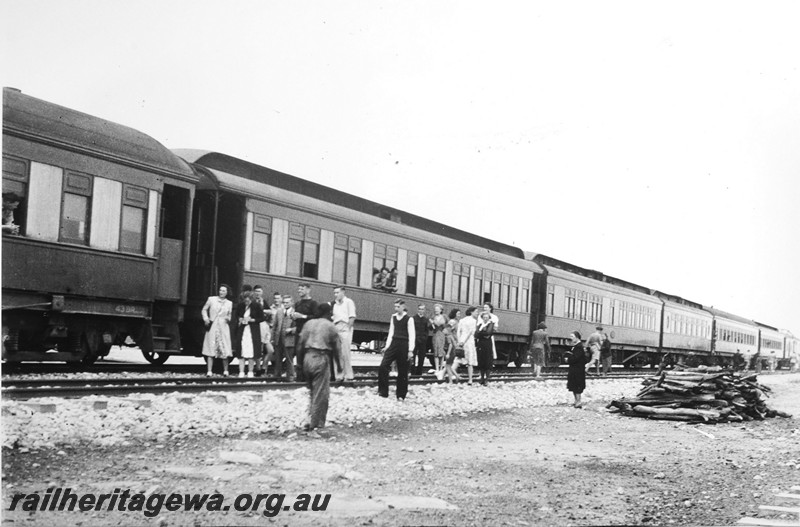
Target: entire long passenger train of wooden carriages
pixel 109 237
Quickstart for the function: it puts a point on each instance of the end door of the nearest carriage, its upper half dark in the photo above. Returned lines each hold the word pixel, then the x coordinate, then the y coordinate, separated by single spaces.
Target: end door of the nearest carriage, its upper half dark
pixel 172 240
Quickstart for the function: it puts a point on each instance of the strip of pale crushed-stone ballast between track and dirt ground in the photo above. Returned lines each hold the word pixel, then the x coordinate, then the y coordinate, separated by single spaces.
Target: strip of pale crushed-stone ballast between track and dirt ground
pixel 49 422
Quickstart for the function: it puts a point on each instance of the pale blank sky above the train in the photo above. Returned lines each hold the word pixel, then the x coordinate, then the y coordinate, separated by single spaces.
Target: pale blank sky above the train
pixel 658 142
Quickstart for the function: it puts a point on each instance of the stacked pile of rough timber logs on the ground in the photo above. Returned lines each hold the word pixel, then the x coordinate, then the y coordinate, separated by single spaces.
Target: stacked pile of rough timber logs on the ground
pixel 700 395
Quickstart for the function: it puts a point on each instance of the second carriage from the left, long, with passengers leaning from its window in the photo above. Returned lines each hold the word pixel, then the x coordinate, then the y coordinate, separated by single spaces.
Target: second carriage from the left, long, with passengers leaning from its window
pixel 256 225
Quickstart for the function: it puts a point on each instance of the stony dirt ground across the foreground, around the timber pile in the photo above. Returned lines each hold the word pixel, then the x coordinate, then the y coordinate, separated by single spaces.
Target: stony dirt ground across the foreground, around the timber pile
pixel 552 465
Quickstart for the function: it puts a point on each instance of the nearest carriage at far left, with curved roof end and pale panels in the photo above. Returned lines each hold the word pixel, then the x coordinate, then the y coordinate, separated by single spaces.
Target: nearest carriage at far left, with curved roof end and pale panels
pixel 96 219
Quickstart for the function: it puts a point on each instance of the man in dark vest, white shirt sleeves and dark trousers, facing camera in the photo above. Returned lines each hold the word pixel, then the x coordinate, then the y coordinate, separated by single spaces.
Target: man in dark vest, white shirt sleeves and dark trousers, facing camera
pixel 399 348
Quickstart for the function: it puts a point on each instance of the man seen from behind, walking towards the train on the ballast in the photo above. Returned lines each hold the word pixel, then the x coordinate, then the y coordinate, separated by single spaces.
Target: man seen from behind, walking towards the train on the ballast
pixel 319 344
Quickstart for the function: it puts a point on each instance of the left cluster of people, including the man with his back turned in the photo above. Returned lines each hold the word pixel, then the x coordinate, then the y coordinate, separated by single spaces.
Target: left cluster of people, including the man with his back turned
pixel 316 335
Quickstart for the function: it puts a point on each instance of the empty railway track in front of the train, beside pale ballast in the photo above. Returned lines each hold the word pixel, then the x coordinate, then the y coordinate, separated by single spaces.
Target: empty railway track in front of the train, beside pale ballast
pixel 118 386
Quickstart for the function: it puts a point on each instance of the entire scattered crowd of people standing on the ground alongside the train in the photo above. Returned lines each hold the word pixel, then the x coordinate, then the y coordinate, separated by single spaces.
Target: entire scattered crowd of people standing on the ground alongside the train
pixel 318 337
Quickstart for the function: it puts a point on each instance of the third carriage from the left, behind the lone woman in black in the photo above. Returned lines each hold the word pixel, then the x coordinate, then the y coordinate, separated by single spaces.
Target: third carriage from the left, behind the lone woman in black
pixel 582 299
